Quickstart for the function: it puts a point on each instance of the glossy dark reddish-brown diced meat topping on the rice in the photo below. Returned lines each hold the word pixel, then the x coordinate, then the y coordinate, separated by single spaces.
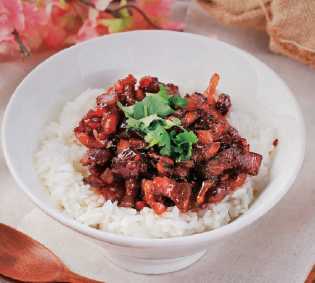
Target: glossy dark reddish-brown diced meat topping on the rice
pixel 123 168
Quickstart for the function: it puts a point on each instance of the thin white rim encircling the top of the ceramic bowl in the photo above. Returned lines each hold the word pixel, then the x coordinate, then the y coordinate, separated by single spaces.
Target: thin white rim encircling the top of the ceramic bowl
pixel 123 240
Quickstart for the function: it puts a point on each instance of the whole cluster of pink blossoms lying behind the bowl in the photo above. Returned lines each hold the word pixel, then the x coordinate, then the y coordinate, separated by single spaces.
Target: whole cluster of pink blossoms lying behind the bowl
pixel 31 25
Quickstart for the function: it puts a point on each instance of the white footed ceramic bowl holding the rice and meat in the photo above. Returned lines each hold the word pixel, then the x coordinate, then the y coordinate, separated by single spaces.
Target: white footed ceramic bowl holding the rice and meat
pixel 187 60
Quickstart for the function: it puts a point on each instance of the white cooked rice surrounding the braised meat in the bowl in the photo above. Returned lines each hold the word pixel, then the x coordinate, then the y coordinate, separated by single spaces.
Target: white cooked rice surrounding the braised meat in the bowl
pixel 58 167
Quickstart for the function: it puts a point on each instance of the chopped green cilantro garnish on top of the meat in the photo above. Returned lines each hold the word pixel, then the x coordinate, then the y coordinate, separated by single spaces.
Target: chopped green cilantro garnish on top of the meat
pixel 148 117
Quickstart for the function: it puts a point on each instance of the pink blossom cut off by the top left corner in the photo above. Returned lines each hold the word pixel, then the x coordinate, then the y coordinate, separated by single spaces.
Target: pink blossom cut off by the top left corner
pixel 11 17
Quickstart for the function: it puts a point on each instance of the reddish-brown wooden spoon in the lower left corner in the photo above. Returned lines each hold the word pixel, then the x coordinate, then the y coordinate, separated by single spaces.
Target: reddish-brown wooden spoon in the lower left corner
pixel 24 259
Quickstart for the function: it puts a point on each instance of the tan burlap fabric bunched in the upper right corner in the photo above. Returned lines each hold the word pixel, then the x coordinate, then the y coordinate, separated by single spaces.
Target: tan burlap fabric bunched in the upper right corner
pixel 289 23
